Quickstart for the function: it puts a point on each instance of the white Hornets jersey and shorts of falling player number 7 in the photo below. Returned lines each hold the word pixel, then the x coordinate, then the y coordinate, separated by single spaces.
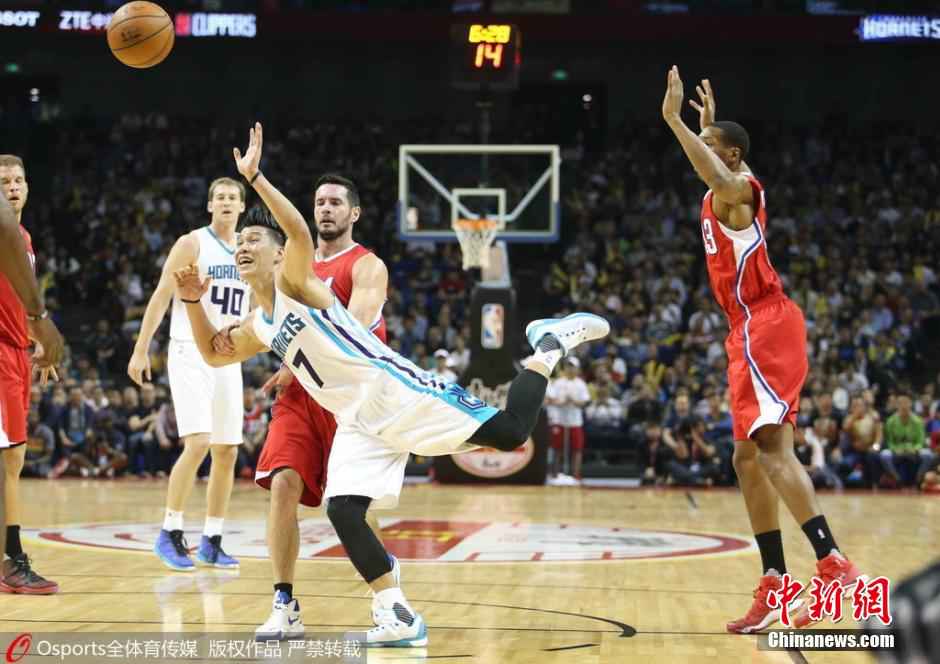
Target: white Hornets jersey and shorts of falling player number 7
pixel 385 406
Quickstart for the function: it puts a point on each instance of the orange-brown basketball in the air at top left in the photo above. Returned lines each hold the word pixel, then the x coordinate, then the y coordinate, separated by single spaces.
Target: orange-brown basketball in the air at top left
pixel 141 34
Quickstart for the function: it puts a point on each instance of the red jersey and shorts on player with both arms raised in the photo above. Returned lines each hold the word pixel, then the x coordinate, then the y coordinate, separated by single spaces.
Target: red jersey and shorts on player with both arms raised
pixel 766 345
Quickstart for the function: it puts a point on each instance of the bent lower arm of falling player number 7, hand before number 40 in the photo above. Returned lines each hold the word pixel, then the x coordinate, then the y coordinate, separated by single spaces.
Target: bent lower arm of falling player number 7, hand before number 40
pixel 191 288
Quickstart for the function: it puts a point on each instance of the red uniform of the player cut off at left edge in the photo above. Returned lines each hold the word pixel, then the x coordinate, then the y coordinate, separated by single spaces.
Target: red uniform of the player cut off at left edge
pixel 15 369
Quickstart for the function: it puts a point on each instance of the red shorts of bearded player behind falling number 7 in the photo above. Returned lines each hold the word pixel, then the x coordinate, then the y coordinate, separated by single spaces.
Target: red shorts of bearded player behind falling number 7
pixel 300 437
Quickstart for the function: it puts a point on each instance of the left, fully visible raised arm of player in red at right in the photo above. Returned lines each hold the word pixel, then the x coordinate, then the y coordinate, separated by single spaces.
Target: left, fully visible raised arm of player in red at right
pixel 731 188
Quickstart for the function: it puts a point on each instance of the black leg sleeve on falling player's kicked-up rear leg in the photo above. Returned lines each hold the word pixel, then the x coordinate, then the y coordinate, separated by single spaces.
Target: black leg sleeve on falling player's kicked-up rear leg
pixel 510 428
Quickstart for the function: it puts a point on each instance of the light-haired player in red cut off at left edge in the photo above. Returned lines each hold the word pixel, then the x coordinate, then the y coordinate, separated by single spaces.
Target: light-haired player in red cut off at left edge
pixel 23 316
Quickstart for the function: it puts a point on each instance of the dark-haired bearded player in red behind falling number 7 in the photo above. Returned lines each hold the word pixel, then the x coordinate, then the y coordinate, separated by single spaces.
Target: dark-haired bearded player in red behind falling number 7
pixel 294 457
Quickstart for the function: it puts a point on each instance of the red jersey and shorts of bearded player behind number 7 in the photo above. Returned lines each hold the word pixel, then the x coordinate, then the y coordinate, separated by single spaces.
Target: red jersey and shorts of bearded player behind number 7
pixel 301 433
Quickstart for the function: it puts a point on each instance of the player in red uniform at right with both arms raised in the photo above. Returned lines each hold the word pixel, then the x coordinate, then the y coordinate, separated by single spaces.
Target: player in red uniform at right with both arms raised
pixel 766 348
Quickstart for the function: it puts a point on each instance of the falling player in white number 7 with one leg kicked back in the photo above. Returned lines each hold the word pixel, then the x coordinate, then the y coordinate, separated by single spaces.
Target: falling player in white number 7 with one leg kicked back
pixel 385 406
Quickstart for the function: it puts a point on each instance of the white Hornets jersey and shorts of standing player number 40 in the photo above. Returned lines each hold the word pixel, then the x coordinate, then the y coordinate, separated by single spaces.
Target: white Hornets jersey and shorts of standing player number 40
pixel 206 399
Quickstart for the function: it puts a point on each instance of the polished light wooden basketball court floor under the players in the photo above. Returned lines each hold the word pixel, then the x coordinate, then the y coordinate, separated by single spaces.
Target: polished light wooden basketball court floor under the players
pixel 532 608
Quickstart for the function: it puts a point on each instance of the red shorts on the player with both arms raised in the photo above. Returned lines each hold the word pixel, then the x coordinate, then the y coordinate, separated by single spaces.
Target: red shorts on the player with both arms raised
pixel 767 366
